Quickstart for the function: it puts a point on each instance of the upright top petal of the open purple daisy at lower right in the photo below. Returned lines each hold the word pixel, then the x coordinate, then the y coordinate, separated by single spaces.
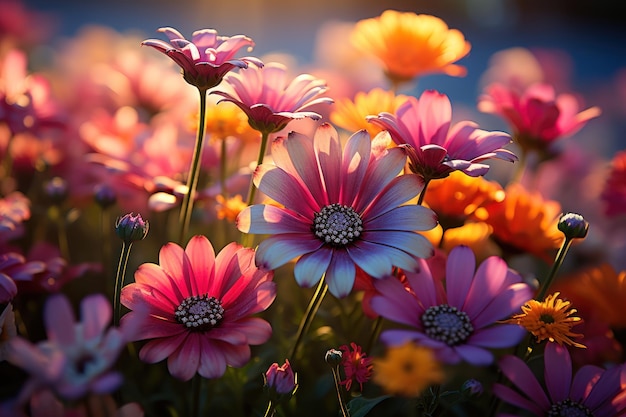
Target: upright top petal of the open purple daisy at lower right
pixel 460 268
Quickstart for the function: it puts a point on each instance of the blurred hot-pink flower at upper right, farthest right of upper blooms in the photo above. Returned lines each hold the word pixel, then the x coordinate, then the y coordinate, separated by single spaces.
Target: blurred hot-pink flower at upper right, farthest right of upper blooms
pixel 537 115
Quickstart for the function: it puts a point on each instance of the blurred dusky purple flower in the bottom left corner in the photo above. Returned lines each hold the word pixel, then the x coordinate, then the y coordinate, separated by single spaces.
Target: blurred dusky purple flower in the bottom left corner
pixel 77 357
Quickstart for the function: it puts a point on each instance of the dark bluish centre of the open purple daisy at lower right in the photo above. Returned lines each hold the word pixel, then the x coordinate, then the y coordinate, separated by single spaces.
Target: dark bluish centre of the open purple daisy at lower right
pixel 447 324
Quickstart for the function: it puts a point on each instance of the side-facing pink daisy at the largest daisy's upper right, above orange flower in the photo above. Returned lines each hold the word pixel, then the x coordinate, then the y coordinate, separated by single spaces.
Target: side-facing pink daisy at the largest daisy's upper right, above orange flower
pixel 436 148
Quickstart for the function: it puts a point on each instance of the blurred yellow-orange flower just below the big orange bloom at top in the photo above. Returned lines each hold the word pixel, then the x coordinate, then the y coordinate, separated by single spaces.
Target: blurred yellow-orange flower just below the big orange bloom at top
pixel 350 115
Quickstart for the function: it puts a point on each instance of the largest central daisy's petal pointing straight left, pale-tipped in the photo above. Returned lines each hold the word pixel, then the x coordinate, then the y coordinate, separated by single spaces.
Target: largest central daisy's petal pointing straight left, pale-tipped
pixel 268 219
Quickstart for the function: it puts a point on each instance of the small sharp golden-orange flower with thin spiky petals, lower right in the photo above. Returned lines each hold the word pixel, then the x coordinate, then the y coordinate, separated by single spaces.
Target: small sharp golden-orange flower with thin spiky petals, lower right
pixel 551 320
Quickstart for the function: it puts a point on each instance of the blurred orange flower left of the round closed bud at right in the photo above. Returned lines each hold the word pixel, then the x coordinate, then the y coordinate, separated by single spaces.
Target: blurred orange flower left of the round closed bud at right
pixel 524 221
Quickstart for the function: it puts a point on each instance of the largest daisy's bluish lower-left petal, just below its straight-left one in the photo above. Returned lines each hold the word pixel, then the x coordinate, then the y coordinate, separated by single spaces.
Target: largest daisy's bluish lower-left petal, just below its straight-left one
pixel 279 249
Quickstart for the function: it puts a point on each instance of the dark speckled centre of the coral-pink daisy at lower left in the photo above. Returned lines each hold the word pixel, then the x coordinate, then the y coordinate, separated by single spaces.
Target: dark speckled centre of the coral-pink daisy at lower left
pixel 200 312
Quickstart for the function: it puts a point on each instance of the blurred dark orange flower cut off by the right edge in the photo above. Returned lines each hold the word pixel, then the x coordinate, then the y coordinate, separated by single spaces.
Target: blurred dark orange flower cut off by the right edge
pixel 603 290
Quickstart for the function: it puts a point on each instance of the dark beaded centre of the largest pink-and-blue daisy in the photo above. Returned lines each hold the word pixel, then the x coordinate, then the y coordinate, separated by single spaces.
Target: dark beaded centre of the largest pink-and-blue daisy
pixel 337 225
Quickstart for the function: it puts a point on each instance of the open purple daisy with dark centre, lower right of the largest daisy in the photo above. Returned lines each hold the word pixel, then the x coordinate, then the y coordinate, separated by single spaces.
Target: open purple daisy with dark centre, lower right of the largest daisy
pixel 460 323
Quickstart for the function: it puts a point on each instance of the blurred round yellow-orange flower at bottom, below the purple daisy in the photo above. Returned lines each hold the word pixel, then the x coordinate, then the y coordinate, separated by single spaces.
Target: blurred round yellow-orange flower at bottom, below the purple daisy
pixel 407 370
